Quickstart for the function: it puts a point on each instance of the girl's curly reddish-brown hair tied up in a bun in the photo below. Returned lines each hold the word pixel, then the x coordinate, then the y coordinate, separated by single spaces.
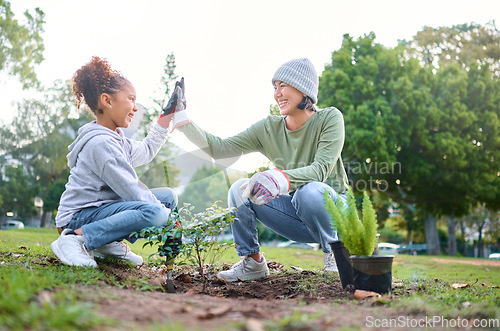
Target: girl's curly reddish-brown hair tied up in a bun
pixel 94 79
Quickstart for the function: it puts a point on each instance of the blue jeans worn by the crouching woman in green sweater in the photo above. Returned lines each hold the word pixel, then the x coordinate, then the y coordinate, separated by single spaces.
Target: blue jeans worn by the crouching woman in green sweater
pixel 301 217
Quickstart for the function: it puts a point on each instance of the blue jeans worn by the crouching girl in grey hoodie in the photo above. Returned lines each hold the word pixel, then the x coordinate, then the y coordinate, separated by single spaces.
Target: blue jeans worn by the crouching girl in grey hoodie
pixel 117 220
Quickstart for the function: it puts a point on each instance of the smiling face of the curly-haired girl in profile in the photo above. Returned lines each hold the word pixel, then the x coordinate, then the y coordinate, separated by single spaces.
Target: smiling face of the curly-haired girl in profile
pixel 120 108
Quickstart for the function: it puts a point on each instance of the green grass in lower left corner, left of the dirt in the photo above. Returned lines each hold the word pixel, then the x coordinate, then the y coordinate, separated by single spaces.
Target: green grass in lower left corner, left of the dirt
pixel 38 294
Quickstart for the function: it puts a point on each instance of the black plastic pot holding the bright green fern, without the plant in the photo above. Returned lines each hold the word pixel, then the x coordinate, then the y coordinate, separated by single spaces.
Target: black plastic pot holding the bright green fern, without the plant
pixel 372 273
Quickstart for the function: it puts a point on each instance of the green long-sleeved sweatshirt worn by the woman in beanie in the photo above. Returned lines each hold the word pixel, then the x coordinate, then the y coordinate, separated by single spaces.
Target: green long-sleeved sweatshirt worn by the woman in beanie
pixel 310 153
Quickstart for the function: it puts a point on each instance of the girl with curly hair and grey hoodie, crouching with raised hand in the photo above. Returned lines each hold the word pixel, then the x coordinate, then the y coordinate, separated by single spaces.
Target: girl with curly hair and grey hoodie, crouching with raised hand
pixel 104 201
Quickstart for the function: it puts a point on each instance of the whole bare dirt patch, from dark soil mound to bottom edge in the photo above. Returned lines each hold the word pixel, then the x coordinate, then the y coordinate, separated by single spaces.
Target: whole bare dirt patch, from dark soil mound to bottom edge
pixel 287 299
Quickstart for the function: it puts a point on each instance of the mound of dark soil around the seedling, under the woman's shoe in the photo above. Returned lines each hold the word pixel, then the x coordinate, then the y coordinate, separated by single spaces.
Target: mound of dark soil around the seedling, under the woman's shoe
pixel 310 286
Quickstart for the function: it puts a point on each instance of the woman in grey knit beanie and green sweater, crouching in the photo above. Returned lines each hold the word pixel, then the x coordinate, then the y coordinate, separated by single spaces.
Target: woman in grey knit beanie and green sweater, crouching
pixel 305 145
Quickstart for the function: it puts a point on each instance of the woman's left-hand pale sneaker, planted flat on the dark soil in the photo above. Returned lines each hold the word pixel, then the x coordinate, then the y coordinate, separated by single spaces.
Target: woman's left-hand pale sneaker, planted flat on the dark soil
pixel 246 269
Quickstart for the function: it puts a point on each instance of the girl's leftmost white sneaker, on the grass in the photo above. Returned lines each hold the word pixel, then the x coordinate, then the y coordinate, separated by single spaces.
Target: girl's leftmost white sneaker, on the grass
pixel 71 250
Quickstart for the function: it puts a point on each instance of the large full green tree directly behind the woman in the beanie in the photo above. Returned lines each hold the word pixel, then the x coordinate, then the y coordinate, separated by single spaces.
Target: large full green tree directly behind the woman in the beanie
pixel 412 128
